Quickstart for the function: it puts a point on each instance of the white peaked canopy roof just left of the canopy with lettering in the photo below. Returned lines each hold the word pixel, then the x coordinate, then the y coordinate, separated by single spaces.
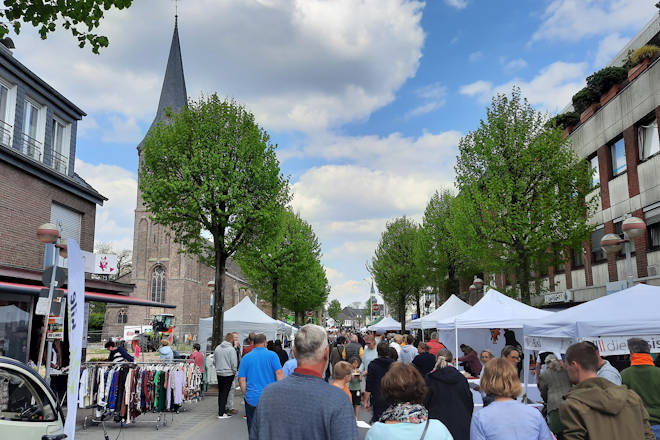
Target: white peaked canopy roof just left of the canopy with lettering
pixel 494 310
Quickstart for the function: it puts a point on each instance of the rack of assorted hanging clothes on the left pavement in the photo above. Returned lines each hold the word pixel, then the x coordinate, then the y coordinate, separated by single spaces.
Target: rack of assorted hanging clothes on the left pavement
pixel 158 388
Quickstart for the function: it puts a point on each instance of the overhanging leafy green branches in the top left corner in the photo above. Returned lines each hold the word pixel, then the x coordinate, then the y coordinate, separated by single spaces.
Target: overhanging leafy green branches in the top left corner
pixel 80 17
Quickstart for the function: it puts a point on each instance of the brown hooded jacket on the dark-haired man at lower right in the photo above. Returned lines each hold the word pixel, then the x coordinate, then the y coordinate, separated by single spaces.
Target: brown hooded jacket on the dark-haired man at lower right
pixel 598 409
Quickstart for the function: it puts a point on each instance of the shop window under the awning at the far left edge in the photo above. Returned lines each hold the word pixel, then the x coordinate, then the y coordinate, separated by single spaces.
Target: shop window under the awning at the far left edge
pixel 15 325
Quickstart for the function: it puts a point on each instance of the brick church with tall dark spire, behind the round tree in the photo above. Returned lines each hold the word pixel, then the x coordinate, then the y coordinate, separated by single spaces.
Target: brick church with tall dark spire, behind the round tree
pixel 160 273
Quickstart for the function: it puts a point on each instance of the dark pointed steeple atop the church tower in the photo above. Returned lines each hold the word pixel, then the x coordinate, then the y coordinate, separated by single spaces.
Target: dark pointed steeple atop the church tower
pixel 173 93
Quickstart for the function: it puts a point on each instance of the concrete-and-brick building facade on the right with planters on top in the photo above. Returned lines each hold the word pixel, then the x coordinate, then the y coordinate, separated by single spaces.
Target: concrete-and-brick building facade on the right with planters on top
pixel 622 143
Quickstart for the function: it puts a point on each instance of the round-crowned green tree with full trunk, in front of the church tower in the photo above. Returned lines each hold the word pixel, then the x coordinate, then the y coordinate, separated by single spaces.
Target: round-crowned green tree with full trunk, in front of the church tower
pixel 212 170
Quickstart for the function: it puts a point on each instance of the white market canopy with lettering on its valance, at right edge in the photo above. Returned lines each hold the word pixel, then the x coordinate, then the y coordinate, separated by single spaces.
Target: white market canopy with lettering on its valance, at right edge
pixel 629 312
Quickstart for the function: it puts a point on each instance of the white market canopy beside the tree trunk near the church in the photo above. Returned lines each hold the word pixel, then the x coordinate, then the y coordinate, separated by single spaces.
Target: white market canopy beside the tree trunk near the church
pixel 243 318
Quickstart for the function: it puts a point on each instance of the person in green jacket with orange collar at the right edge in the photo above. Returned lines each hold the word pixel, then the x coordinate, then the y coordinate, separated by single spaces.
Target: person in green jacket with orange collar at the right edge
pixel 643 377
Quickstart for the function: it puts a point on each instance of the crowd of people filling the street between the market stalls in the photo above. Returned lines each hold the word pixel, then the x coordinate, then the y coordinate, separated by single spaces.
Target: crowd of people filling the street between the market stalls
pixel 412 389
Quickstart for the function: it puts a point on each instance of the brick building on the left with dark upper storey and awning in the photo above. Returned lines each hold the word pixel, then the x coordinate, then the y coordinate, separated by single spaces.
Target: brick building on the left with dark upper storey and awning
pixel 38 184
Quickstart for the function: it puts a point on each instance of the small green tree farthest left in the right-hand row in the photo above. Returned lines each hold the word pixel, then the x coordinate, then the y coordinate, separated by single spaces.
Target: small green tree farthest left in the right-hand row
pixel 395 268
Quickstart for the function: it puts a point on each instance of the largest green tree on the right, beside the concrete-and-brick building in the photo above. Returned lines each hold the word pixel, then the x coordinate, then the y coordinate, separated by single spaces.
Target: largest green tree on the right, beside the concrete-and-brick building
pixel 522 191
